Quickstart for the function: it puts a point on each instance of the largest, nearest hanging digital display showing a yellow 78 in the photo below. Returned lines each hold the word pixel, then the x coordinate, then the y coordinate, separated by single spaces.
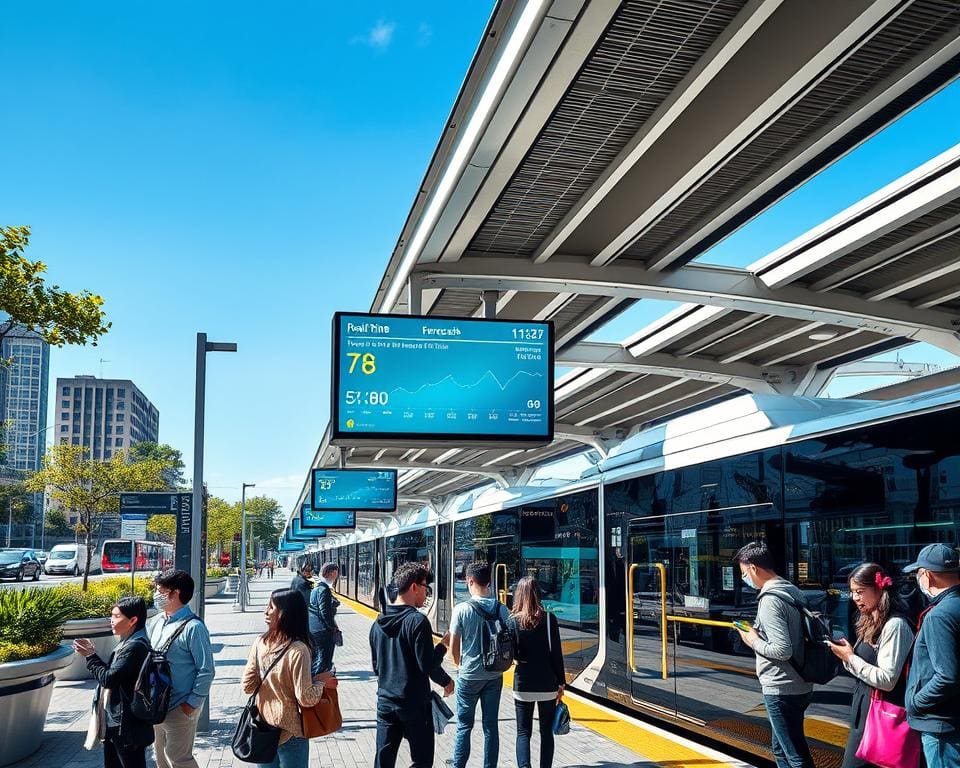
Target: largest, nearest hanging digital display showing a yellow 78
pixel 405 378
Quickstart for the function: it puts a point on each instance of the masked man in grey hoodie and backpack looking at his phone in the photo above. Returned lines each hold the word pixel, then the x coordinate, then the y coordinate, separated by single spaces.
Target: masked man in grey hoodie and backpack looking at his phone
pixel 777 638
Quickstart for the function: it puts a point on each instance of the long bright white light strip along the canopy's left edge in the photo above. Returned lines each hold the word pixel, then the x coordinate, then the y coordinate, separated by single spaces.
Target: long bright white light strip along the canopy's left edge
pixel 526 25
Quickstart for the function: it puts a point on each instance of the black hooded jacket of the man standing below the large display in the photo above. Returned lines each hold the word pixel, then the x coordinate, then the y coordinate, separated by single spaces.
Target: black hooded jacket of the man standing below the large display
pixel 404 657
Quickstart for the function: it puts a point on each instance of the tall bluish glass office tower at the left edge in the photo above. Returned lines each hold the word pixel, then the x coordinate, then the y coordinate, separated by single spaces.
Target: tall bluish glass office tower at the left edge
pixel 23 401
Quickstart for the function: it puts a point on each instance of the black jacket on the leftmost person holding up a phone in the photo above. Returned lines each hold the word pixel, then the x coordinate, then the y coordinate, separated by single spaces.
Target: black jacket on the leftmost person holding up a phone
pixel 119 676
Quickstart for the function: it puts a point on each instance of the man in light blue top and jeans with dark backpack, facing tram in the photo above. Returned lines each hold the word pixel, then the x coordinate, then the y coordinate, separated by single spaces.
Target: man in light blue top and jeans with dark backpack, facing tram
pixel 481 643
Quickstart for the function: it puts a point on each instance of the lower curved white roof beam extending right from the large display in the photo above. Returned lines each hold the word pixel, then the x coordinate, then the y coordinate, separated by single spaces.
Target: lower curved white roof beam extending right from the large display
pixel 616 357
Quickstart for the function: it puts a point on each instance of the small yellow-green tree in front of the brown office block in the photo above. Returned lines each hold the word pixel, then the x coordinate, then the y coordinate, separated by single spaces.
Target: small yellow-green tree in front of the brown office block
pixel 91 489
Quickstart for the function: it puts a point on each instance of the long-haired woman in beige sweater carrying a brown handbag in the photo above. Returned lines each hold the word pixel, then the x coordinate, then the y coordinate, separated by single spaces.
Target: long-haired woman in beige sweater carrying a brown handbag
pixel 289 686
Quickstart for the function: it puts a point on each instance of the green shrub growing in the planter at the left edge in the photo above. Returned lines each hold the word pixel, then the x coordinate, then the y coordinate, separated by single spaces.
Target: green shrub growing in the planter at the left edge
pixel 31 622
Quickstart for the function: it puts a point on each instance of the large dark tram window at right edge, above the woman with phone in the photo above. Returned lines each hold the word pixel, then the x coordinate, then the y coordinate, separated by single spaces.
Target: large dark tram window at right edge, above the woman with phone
pixel 877 494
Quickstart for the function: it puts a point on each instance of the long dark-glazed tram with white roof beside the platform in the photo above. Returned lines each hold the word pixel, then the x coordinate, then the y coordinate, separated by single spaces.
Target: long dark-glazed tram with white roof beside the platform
pixel 636 557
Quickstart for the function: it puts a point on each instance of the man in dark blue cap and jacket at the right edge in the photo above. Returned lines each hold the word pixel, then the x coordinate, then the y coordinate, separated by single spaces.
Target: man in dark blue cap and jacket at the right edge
pixel 933 685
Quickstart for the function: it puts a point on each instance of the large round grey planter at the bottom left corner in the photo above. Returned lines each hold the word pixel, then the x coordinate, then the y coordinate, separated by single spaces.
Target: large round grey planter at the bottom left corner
pixel 25 690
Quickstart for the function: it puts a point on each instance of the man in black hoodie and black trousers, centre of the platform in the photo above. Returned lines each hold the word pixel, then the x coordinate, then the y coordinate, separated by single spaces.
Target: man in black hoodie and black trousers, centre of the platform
pixel 404 661
